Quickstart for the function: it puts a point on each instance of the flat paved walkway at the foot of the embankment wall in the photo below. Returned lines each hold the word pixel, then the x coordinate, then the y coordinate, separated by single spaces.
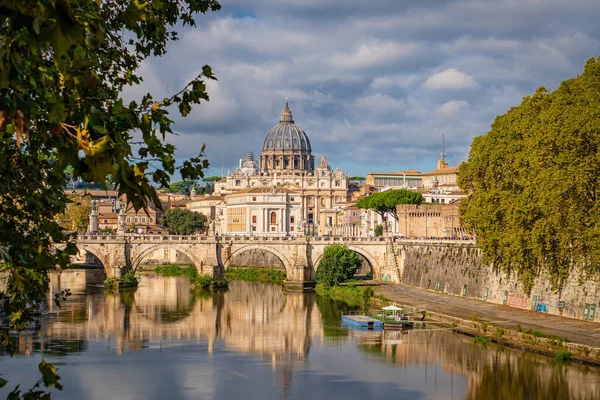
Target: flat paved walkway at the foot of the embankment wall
pixel 576 331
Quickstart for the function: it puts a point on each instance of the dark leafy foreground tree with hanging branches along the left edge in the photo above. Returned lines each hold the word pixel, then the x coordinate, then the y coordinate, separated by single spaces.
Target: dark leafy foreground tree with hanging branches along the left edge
pixel 63 65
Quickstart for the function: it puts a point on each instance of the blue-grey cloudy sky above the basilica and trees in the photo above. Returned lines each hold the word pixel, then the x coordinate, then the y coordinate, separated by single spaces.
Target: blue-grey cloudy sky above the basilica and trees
pixel 373 83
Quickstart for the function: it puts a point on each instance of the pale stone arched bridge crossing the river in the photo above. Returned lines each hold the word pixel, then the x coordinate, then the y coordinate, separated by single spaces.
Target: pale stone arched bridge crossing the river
pixel 300 256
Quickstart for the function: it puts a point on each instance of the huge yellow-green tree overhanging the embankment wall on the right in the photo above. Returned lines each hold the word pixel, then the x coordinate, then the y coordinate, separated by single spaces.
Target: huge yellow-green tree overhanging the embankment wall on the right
pixel 533 183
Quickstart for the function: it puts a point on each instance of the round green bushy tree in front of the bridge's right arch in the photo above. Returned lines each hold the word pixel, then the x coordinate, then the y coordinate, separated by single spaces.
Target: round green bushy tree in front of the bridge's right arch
pixel 337 265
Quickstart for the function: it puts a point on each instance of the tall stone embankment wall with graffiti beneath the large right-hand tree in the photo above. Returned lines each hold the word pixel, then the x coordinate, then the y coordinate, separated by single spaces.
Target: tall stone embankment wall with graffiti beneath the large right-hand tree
pixel 458 269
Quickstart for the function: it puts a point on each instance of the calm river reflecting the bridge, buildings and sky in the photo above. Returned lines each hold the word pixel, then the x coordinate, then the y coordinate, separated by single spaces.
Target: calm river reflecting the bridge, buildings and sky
pixel 253 341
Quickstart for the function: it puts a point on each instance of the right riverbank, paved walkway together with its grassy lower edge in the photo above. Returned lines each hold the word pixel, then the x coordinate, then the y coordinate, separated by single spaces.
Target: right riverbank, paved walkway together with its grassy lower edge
pixel 528 330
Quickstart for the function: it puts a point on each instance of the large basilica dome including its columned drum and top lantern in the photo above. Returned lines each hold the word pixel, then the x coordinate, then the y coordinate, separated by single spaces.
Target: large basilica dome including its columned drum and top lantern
pixel 286 147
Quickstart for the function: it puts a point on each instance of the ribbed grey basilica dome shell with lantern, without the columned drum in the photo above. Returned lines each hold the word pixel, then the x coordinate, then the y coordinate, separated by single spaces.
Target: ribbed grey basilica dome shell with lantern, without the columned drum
pixel 286 135
